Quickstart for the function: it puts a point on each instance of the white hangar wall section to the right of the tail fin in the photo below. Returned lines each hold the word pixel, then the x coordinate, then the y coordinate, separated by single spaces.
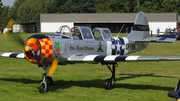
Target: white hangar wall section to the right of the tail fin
pixel 162 26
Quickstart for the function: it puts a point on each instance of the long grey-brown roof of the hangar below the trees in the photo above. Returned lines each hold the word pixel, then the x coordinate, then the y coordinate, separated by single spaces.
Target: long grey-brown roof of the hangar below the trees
pixel 106 17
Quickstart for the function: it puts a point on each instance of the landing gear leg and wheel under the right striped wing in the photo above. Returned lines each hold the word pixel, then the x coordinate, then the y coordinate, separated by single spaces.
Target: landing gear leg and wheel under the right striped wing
pixel 109 83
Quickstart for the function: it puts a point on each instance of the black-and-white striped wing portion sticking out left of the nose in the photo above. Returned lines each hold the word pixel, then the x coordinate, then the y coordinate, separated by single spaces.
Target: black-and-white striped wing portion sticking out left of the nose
pixel 13 55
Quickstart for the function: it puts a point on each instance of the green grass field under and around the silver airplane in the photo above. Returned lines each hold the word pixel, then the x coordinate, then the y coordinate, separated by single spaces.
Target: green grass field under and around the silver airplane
pixel 136 81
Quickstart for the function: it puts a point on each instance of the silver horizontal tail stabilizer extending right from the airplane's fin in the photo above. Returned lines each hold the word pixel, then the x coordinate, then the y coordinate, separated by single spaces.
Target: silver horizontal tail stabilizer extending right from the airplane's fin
pixel 157 39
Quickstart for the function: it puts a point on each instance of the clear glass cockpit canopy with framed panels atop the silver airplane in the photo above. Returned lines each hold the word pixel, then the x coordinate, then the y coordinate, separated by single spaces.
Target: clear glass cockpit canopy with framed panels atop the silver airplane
pixel 85 33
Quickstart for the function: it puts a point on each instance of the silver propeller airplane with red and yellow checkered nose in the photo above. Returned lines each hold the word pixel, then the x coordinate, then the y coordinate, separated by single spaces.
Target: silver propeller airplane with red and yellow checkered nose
pixel 96 46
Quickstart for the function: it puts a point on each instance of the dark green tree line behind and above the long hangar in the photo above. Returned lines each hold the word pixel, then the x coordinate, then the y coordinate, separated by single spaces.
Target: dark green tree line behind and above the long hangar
pixel 30 10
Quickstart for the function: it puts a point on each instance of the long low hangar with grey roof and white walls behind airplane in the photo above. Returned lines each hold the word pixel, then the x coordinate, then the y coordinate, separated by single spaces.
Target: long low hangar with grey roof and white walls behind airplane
pixel 50 22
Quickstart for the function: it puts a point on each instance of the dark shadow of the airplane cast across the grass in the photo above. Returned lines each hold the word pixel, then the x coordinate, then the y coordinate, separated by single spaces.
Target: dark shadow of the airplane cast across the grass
pixel 98 83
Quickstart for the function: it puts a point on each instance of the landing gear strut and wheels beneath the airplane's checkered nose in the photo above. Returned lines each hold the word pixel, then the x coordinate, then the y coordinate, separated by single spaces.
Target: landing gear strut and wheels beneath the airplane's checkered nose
pixel 47 81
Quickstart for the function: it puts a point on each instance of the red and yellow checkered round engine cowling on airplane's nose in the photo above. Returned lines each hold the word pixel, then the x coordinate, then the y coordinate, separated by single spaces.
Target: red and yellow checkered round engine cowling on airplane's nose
pixel 38 51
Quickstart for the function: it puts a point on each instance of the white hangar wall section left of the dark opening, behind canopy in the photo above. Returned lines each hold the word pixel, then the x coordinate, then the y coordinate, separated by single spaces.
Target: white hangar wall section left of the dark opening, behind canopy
pixel 53 26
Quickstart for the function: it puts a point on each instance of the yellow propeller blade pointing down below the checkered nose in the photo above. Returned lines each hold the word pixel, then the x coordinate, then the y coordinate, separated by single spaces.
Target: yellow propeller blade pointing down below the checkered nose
pixel 53 67
